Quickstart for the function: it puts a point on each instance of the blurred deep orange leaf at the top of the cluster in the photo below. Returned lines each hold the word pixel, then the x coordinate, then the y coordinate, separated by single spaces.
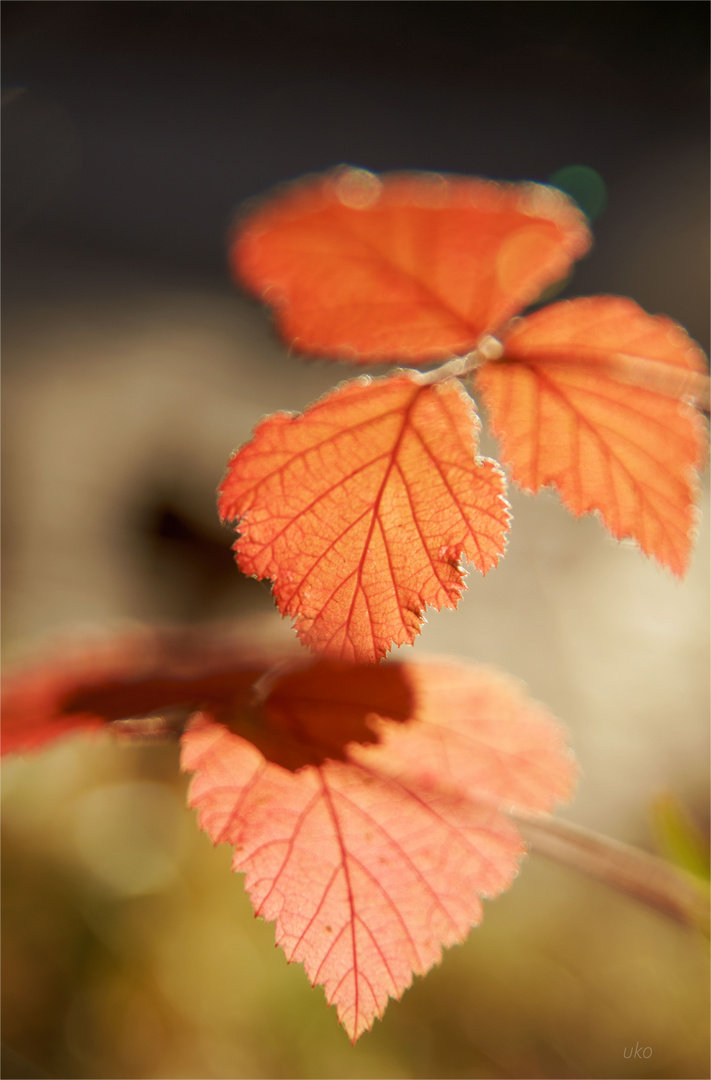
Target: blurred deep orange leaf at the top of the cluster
pixel 408 267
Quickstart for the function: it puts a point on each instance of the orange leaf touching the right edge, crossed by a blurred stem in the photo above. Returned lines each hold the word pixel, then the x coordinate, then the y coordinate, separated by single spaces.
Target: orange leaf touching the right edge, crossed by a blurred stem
pixel 562 404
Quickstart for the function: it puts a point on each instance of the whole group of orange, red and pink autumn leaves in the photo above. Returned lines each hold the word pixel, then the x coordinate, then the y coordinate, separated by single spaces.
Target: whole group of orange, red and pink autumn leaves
pixel 370 805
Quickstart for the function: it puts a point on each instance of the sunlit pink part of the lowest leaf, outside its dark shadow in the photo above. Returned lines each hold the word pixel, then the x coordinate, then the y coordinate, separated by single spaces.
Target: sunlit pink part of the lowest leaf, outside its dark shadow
pixel 371 866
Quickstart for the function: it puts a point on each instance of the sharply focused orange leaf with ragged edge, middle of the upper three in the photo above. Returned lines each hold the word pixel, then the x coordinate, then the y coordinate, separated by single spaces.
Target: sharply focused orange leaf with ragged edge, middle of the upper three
pixel 361 509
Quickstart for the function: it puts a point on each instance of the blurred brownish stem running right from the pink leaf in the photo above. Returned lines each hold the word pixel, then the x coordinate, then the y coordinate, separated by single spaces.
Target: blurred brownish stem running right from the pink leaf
pixel 646 877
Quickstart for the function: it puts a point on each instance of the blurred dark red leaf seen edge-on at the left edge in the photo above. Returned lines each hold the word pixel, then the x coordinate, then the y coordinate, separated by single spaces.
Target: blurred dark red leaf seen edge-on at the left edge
pixel 149 676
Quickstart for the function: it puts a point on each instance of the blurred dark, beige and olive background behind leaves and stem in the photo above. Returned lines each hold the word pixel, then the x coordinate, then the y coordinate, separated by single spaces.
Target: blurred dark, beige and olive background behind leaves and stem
pixel 132 368
